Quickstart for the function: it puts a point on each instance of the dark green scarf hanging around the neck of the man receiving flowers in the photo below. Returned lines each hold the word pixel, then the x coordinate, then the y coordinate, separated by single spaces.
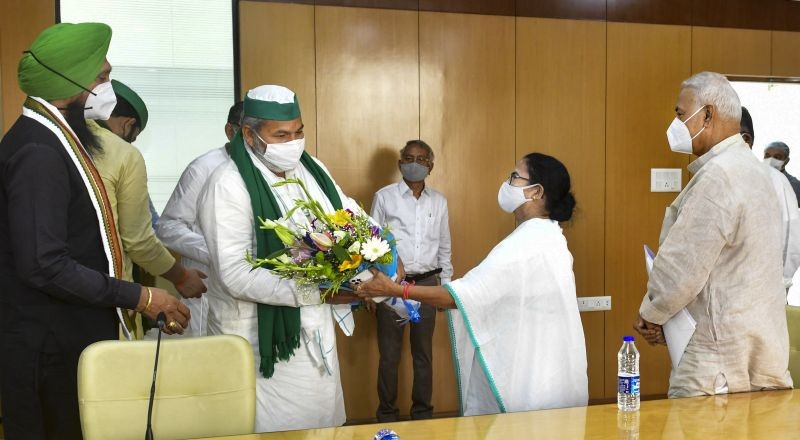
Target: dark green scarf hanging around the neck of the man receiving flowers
pixel 278 326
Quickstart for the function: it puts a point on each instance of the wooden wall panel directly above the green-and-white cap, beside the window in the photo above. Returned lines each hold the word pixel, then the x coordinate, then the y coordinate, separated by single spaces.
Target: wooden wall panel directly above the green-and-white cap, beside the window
pixel 277 47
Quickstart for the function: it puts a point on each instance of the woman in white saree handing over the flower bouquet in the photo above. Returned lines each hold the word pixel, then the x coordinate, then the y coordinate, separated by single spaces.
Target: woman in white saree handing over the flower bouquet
pixel 516 334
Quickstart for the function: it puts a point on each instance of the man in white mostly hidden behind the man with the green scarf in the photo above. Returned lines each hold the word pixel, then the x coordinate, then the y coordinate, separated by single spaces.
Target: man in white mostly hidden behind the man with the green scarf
pixel 177 227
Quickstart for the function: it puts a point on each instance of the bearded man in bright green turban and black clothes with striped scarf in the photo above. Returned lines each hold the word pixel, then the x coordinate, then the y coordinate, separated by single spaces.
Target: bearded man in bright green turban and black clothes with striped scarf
pixel 60 256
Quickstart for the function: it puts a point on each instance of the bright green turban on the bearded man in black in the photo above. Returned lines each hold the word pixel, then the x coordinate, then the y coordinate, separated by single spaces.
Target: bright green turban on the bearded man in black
pixel 76 51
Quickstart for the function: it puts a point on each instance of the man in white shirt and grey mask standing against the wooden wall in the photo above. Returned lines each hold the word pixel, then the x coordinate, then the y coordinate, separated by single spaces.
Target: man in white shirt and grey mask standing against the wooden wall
pixel 417 216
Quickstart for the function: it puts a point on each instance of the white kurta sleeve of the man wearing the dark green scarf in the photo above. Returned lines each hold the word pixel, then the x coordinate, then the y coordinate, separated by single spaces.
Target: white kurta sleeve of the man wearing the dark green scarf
pixel 226 218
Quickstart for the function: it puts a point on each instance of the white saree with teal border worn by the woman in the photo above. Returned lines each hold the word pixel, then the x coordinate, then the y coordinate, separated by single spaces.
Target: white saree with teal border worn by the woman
pixel 517 334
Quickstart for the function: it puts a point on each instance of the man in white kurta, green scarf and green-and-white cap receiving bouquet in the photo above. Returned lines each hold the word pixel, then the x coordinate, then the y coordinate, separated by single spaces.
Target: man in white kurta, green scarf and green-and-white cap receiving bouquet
pixel 292 334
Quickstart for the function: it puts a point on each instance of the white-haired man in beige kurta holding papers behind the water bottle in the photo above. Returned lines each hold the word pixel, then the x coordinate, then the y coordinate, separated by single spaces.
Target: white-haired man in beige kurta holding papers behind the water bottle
pixel 720 254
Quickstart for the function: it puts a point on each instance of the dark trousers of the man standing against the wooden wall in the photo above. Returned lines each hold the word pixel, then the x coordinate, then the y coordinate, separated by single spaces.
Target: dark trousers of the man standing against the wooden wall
pixel 390 343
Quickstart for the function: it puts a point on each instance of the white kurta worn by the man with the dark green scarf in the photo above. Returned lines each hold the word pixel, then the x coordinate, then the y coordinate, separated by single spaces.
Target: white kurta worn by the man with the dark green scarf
pixel 306 391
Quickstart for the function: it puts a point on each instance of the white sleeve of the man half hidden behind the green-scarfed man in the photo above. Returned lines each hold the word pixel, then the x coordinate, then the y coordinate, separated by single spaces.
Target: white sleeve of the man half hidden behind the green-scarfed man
pixel 174 225
